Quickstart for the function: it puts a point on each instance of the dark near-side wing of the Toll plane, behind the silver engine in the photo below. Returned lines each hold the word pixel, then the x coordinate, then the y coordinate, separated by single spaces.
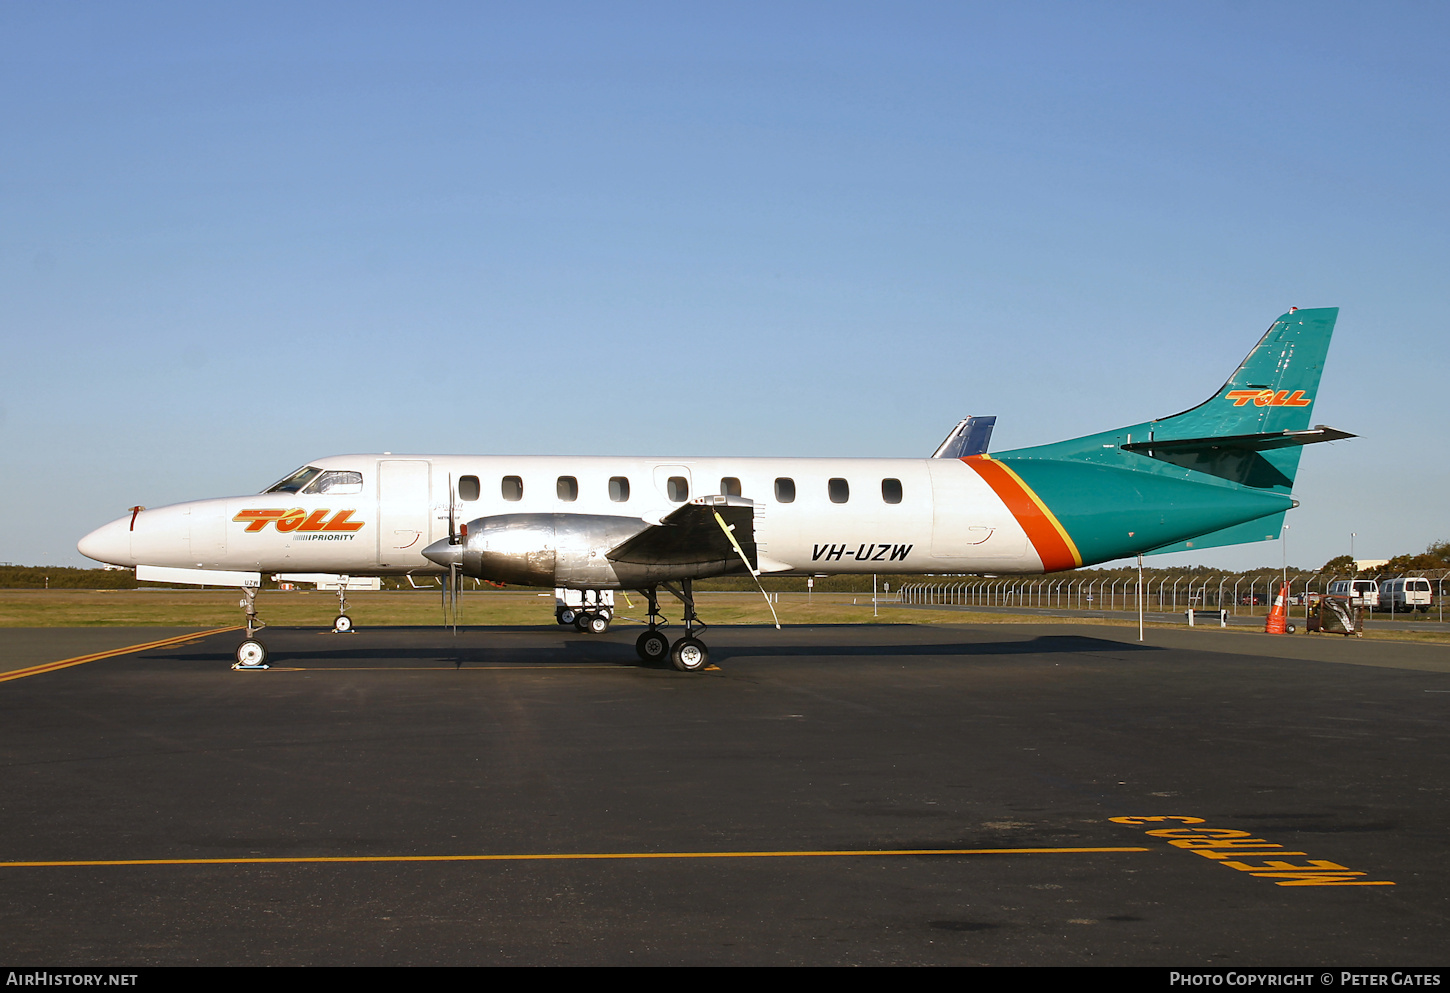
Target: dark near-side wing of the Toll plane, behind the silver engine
pixel 691 536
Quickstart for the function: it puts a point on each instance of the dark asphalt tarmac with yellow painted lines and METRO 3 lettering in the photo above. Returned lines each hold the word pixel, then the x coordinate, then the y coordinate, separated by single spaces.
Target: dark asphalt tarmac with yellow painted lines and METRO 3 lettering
pixel 833 795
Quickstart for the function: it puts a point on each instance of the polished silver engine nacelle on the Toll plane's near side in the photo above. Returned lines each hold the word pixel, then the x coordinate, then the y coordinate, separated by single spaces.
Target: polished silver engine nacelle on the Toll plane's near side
pixel 547 549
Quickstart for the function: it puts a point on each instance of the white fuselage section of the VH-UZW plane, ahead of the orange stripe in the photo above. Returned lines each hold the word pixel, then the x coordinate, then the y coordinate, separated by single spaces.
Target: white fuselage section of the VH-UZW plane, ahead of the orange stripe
pixel 942 518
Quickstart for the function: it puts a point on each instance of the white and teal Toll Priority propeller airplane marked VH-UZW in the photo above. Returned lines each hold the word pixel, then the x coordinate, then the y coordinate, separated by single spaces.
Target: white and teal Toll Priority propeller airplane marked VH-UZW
pixel 1219 473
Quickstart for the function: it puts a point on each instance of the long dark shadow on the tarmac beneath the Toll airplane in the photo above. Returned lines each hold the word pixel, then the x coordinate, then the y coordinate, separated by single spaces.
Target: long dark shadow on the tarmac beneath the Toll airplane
pixel 620 655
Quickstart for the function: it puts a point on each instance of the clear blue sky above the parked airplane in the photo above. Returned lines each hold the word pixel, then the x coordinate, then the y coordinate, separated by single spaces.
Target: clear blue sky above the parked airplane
pixel 236 238
